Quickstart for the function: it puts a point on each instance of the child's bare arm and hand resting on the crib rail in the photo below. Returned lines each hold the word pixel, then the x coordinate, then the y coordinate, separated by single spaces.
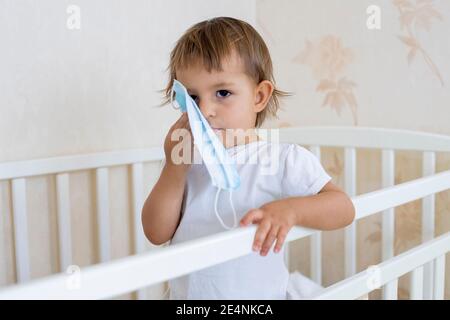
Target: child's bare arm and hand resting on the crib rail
pixel 330 209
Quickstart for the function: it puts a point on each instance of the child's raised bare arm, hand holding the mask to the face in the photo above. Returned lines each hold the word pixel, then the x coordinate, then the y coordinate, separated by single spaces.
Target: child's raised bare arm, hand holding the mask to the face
pixel 162 209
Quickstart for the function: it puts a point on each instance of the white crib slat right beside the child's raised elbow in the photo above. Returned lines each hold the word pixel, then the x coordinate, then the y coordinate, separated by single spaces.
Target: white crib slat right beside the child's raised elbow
pixel 137 185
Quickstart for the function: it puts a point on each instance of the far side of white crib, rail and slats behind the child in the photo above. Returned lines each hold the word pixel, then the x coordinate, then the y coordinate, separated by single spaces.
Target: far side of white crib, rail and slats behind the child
pixel 388 140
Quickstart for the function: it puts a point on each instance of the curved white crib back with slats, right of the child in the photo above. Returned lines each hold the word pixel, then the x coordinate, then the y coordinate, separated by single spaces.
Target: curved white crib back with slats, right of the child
pixel 389 141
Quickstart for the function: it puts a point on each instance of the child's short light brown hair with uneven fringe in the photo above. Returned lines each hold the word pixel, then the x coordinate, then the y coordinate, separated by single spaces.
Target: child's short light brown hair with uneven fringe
pixel 211 41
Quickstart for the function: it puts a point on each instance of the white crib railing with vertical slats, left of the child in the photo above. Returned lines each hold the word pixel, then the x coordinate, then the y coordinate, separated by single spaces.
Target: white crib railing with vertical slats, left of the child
pixel 18 171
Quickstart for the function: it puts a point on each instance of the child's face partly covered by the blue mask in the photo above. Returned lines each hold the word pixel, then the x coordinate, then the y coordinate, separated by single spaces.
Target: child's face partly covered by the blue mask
pixel 228 99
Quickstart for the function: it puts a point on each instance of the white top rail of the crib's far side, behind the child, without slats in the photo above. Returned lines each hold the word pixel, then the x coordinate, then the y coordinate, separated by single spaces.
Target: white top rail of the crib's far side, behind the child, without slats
pixel 360 137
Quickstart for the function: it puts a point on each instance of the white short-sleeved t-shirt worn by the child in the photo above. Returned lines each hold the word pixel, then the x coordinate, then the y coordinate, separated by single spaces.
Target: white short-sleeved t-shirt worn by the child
pixel 268 171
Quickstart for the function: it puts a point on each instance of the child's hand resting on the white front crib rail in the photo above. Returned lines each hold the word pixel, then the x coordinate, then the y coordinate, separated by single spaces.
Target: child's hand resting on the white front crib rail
pixel 275 219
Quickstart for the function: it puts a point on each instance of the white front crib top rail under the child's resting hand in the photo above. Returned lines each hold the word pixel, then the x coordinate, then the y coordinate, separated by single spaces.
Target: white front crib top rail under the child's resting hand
pixel 121 276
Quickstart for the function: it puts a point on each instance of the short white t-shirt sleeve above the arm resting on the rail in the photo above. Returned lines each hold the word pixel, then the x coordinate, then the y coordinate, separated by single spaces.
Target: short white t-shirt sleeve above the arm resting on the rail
pixel 303 173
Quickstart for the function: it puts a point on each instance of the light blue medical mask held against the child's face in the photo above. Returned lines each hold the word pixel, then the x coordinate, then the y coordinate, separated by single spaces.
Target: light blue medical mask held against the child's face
pixel 221 167
